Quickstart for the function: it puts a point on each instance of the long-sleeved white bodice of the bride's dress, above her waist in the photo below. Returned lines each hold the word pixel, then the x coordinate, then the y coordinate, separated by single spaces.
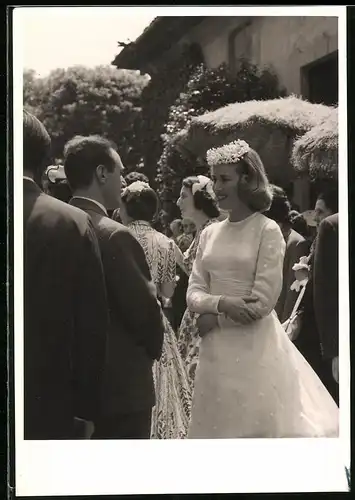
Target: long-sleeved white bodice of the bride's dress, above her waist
pixel 237 259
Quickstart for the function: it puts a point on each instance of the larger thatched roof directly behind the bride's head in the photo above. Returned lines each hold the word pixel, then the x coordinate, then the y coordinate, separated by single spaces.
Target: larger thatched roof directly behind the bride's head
pixel 270 127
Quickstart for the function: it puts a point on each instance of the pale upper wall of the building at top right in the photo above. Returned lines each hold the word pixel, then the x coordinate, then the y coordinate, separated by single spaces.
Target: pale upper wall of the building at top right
pixel 285 43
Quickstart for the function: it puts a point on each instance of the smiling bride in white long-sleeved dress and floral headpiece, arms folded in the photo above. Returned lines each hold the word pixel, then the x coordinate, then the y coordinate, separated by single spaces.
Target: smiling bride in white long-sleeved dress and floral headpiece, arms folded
pixel 251 381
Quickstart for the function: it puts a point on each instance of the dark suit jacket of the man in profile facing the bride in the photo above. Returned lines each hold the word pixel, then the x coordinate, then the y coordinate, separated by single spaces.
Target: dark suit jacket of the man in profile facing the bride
pixel 136 329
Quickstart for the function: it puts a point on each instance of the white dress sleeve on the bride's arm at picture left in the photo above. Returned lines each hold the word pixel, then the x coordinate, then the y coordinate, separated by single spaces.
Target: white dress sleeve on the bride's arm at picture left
pixel 198 297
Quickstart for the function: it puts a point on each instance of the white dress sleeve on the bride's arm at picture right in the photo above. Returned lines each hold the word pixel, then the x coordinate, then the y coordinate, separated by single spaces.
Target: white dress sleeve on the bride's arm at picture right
pixel 269 269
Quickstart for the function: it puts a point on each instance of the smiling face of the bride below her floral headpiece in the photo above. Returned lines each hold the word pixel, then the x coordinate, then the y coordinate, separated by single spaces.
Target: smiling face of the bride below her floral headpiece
pixel 225 184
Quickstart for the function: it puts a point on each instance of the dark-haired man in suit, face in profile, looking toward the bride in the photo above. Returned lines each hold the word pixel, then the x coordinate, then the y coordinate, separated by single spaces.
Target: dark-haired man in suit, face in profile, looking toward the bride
pixel 93 169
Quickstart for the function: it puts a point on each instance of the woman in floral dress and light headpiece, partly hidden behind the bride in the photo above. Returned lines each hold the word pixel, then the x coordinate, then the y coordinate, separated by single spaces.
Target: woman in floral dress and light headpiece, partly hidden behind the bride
pixel 197 202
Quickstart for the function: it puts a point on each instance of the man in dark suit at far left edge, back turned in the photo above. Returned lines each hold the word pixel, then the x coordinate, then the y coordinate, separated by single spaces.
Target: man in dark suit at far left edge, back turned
pixel 65 307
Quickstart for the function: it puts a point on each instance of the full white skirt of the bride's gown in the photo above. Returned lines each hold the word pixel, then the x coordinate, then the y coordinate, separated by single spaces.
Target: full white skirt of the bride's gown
pixel 252 382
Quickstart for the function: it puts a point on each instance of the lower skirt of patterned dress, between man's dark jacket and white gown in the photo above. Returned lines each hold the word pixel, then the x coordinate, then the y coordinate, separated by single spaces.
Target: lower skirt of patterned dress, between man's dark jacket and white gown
pixel 172 411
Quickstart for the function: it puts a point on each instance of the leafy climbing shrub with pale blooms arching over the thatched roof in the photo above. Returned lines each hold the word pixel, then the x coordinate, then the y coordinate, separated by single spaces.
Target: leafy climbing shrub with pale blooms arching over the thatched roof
pixel 206 90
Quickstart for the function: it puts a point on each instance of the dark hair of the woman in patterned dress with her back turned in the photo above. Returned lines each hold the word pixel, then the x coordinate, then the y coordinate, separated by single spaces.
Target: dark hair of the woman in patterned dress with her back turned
pixel 141 205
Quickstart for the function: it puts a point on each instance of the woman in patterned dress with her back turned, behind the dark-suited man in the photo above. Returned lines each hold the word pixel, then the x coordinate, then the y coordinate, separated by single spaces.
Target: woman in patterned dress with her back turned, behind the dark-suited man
pixel 170 416
